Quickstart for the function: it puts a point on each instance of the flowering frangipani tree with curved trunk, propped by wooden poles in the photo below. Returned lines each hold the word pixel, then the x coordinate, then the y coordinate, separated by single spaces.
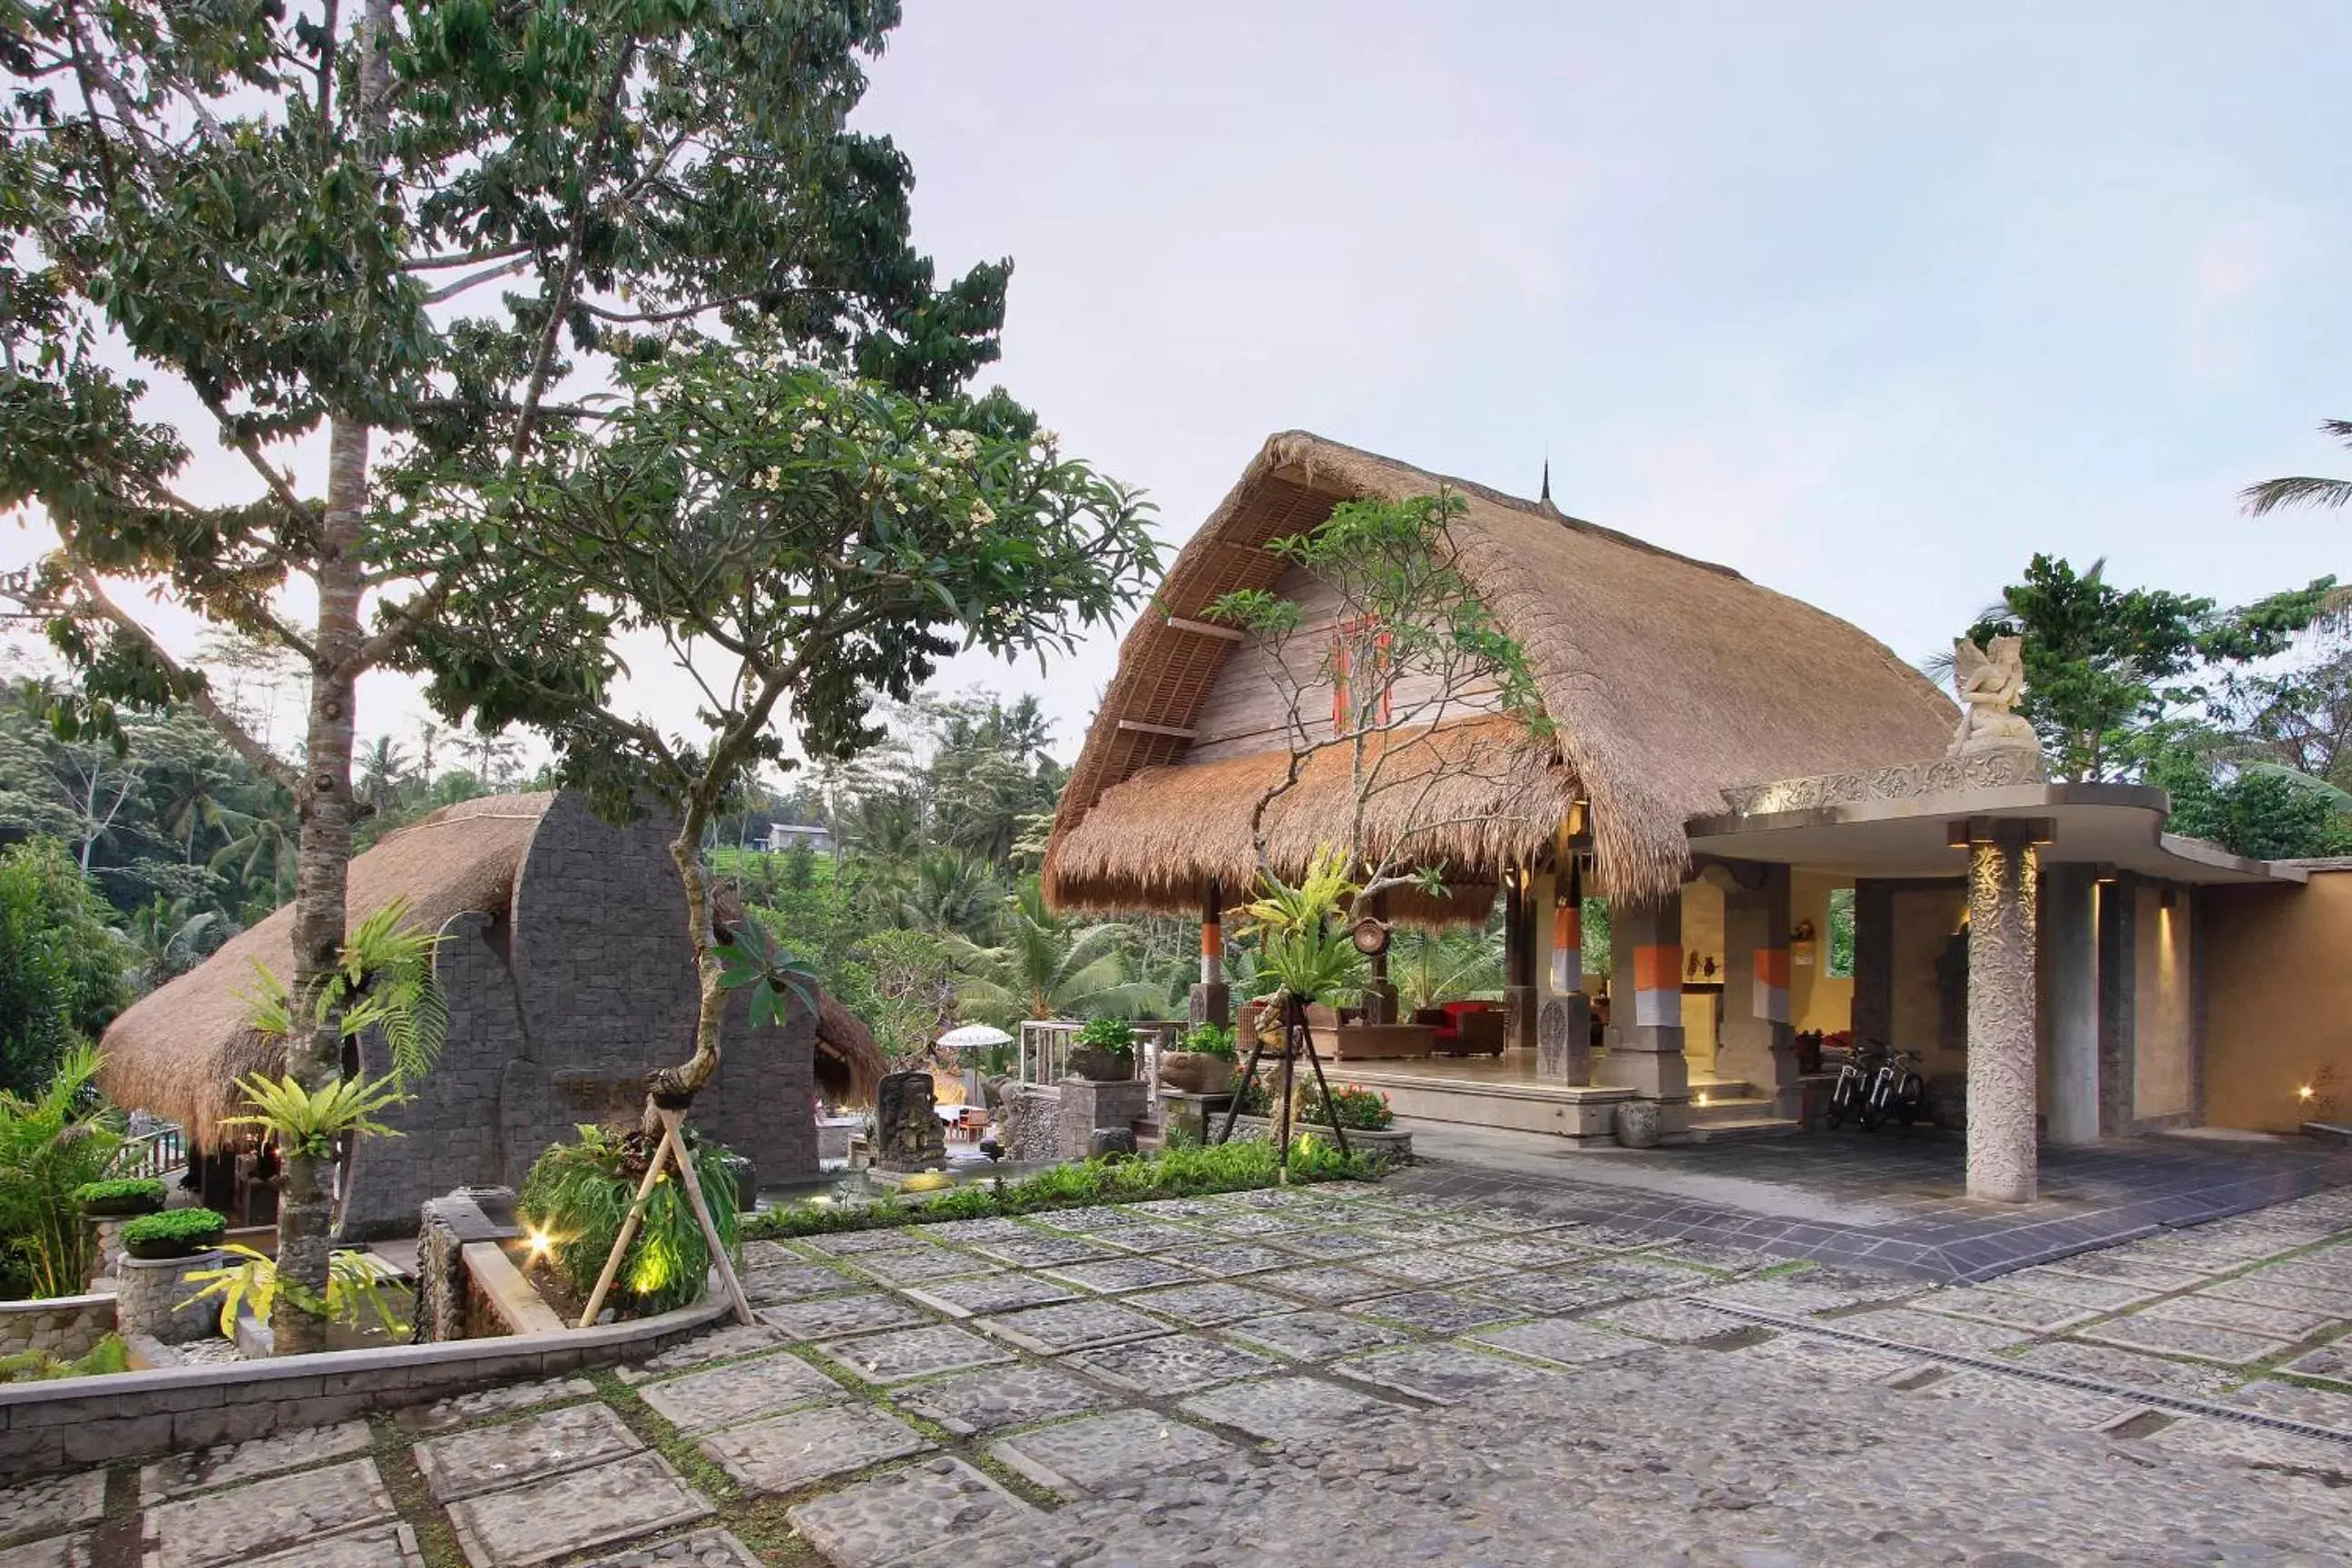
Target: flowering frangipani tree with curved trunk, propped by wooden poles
pixel 801 544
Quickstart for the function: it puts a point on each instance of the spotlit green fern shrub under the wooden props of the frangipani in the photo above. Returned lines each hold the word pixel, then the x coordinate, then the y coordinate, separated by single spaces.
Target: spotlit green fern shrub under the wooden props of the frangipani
pixel 577 1198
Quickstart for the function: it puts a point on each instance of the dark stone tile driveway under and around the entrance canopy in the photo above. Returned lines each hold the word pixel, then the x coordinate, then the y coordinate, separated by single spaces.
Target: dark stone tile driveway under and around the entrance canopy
pixel 1895 1200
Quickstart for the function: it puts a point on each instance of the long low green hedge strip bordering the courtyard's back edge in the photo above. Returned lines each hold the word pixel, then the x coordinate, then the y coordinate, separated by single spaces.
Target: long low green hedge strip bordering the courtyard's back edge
pixel 1229 1167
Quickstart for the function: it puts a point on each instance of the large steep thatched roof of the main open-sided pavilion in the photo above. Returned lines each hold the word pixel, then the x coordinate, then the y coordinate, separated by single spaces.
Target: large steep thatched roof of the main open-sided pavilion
pixel 1669 681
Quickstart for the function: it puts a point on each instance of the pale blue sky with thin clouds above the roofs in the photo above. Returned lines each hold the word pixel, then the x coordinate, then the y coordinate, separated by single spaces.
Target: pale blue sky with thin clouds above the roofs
pixel 1866 302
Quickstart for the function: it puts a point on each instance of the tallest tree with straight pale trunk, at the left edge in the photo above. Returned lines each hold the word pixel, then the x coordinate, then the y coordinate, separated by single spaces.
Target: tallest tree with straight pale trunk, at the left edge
pixel 399 236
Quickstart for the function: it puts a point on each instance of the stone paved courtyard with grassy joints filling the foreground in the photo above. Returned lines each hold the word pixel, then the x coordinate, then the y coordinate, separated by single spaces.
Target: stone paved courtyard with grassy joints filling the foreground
pixel 1351 1374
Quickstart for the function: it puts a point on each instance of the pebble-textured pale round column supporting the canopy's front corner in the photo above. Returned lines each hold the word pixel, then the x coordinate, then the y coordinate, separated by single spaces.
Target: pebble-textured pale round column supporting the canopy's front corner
pixel 2003 897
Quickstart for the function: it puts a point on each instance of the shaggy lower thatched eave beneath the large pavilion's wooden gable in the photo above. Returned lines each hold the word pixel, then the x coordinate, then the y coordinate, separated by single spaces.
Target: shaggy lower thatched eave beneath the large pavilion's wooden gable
pixel 1476 793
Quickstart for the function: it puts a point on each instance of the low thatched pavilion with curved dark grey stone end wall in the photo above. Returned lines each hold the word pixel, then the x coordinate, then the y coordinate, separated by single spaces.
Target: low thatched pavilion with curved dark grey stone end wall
pixel 566 967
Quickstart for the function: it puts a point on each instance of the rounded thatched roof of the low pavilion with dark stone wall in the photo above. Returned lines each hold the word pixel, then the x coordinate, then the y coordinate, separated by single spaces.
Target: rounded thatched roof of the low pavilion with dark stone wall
pixel 180 1050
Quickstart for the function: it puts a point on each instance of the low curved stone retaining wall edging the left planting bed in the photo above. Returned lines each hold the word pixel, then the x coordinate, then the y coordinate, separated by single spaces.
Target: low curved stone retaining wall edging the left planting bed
pixel 93 1421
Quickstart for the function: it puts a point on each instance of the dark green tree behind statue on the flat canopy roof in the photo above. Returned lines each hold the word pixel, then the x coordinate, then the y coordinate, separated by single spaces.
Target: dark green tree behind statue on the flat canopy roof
pixel 2104 664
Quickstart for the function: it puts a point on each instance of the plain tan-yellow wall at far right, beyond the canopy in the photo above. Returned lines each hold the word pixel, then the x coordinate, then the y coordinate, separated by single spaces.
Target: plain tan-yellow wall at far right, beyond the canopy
pixel 2278 1003
